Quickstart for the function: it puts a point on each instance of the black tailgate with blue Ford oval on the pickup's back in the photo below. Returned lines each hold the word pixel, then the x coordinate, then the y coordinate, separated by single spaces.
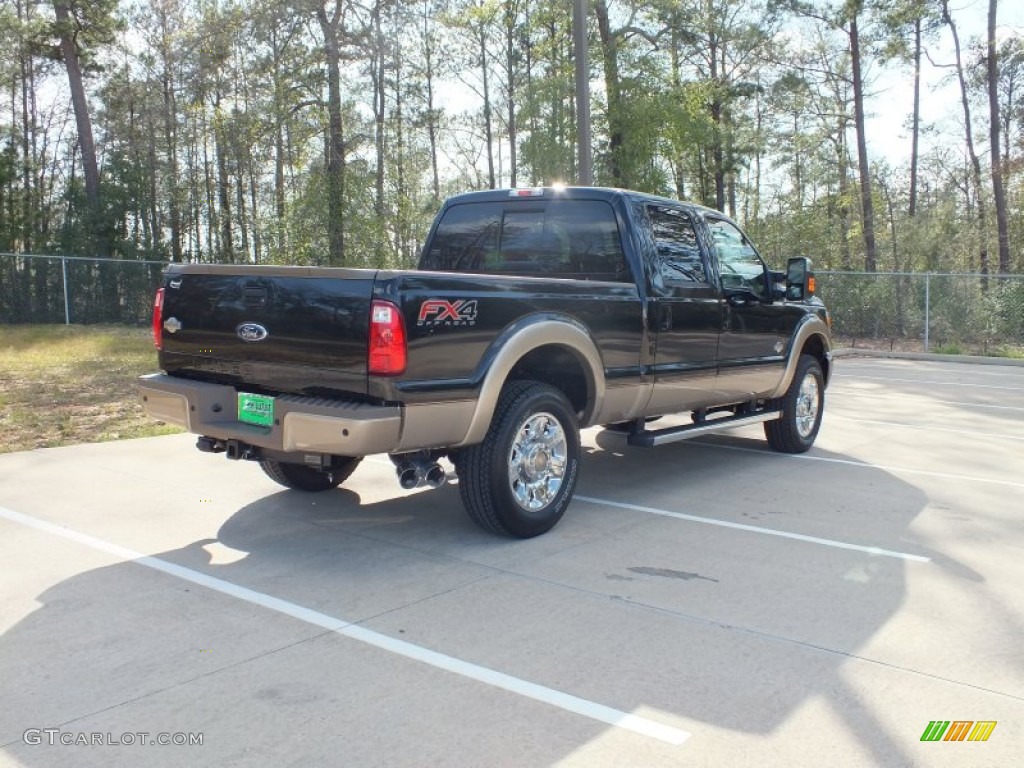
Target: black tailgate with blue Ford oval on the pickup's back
pixel 301 330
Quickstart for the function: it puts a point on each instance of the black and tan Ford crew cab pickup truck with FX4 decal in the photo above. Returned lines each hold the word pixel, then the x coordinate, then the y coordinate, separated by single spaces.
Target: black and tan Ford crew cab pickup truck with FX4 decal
pixel 534 314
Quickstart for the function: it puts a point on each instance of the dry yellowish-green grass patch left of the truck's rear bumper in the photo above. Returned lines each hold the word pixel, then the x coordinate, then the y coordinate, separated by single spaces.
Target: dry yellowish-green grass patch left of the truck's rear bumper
pixel 68 385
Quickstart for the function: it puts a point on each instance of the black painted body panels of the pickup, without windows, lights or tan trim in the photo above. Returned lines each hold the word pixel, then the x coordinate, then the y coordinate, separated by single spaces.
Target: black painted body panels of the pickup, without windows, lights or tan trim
pixel 318 322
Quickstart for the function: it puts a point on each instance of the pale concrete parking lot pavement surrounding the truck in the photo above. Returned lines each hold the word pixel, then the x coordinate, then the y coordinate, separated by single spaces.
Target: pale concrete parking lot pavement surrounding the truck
pixel 702 604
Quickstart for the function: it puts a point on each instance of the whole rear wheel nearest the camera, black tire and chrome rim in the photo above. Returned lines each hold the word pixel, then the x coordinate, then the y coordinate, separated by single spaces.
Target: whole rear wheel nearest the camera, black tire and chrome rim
pixel 521 480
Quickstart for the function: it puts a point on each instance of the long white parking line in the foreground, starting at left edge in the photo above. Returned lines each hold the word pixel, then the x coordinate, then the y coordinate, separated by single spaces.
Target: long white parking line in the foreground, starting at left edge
pixel 484 675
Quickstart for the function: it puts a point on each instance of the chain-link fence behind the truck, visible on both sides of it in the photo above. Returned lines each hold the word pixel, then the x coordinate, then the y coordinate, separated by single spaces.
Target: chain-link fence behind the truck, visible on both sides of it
pixel 882 311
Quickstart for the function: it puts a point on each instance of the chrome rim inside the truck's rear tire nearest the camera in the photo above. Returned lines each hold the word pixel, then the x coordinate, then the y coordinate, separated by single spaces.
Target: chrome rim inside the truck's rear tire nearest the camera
pixel 537 461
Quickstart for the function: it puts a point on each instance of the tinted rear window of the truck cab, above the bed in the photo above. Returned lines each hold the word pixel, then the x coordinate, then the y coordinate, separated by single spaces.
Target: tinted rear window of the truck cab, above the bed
pixel 571 239
